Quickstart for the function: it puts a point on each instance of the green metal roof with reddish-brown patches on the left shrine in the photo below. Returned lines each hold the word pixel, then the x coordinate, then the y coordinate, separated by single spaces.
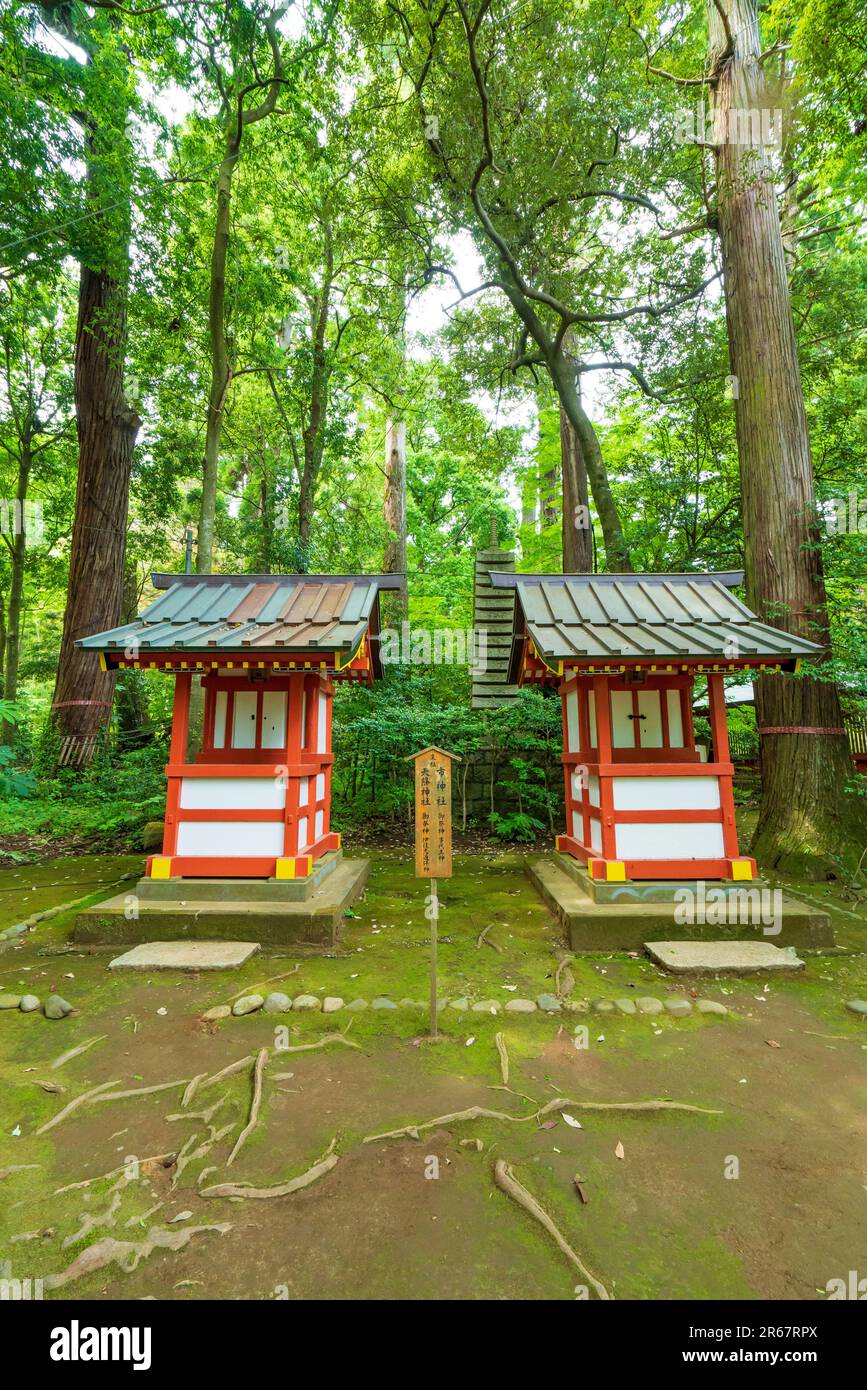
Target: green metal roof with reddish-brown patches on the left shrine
pixel 213 614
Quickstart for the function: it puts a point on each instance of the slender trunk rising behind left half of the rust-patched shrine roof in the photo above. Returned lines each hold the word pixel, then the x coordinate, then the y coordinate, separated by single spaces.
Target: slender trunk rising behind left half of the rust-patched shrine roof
pixel 220 362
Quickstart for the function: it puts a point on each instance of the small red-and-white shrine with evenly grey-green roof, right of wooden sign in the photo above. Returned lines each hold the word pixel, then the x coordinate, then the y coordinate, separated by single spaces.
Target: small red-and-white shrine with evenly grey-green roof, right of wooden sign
pixel 643 799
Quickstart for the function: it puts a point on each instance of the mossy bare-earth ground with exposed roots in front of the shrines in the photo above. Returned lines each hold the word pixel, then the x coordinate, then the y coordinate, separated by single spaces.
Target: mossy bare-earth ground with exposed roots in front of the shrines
pixel 423 1218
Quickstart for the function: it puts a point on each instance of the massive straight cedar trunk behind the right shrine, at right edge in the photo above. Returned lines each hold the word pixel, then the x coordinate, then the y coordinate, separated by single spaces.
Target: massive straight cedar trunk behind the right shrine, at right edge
pixel 804 771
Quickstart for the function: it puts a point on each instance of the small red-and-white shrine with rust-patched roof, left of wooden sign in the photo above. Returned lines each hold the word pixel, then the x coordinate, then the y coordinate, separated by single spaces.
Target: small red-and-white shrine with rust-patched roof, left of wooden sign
pixel 255 800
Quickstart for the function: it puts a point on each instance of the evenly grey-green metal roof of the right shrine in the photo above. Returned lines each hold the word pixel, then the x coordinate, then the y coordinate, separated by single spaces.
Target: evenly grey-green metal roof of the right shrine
pixel 612 618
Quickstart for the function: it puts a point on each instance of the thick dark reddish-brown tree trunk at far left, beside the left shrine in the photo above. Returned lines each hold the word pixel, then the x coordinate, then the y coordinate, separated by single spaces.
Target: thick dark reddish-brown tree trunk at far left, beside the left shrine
pixel 106 437
